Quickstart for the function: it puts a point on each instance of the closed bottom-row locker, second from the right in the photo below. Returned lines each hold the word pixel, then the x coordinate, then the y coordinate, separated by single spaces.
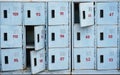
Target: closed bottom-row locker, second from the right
pixel 83 58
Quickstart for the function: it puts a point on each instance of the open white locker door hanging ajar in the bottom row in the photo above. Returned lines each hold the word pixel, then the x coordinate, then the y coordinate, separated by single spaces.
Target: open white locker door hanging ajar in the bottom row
pixel 37 61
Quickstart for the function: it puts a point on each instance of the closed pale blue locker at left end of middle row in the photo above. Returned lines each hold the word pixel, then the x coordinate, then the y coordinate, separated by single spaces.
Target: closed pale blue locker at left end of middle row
pixel 11 36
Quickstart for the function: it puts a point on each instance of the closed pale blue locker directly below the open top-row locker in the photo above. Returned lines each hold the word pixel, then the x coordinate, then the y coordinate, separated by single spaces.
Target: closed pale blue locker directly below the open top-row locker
pixel 83 37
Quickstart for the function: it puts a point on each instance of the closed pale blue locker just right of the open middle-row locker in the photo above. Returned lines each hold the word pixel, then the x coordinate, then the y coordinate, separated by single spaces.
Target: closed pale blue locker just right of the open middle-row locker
pixel 58 36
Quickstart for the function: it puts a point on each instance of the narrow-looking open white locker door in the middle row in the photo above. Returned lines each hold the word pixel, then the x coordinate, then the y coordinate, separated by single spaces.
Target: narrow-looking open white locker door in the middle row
pixel 39 34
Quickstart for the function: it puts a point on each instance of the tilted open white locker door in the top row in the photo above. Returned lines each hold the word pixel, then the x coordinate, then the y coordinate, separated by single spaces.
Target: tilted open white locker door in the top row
pixel 86 14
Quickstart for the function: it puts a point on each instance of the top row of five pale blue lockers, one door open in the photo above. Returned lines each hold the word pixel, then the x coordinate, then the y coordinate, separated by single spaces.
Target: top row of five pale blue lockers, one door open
pixel 85 14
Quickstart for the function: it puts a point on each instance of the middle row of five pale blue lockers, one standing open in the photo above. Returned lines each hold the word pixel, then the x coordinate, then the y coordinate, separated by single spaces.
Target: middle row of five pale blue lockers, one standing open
pixel 58 36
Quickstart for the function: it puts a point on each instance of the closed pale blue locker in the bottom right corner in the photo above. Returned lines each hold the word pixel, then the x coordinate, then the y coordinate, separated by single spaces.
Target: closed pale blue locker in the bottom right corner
pixel 106 58
